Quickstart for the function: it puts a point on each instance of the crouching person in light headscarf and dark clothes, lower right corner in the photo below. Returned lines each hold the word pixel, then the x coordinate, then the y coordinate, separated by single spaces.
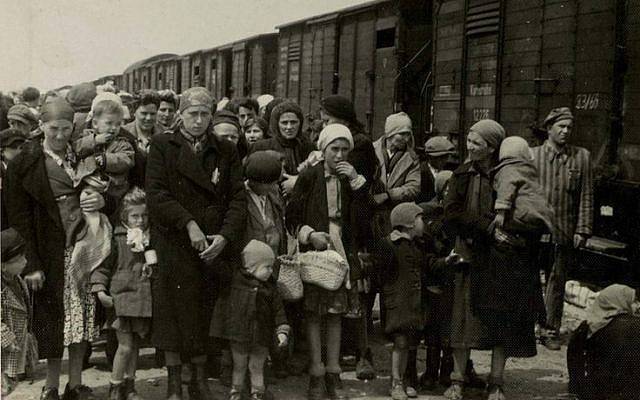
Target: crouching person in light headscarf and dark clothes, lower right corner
pixel 602 356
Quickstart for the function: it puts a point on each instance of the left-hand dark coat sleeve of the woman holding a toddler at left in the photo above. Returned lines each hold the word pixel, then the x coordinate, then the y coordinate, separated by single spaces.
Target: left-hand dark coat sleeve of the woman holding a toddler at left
pixel 20 207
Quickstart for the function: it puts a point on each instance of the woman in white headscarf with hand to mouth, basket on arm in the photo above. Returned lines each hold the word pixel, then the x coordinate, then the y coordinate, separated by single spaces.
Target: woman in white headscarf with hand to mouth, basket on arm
pixel 321 210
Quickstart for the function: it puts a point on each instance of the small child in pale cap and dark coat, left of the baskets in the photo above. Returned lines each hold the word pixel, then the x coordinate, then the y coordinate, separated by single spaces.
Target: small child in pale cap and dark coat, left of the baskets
pixel 248 315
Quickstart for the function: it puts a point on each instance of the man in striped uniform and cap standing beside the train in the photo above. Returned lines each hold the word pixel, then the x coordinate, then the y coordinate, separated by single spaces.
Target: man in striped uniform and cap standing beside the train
pixel 566 176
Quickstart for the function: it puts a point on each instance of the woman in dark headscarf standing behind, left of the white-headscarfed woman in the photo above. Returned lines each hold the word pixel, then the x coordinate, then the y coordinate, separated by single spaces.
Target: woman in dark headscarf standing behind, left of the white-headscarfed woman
pixel 286 125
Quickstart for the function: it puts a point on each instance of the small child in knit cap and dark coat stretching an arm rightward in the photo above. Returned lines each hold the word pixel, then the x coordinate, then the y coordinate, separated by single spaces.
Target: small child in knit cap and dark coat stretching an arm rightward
pixel 403 264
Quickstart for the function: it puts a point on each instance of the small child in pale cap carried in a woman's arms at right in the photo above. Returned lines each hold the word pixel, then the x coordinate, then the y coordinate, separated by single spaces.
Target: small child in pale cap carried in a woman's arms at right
pixel 520 204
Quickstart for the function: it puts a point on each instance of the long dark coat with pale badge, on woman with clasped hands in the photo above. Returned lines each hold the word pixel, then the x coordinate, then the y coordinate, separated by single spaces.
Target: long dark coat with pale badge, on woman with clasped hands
pixel 182 186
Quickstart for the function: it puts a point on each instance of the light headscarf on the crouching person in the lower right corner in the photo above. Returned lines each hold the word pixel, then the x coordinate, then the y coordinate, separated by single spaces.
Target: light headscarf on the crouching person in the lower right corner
pixel 612 301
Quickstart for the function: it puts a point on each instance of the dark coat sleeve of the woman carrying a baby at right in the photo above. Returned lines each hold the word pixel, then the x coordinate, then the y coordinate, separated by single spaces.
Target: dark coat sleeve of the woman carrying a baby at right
pixel 458 221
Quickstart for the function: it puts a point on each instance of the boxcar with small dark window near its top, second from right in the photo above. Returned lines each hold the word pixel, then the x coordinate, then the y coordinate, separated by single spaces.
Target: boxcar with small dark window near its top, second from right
pixel 378 54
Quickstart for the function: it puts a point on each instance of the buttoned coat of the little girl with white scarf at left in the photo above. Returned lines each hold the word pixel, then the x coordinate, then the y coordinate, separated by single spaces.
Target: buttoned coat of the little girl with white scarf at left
pixel 121 276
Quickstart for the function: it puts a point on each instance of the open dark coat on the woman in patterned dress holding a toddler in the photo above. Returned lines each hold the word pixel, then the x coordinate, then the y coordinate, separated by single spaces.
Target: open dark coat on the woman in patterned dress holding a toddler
pixel 34 213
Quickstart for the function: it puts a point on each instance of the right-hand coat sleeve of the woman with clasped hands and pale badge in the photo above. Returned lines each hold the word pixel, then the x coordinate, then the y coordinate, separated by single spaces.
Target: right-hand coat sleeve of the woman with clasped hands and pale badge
pixel 234 223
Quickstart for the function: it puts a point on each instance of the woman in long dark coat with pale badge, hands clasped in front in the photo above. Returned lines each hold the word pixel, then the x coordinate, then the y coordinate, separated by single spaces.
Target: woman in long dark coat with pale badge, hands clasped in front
pixel 197 208
